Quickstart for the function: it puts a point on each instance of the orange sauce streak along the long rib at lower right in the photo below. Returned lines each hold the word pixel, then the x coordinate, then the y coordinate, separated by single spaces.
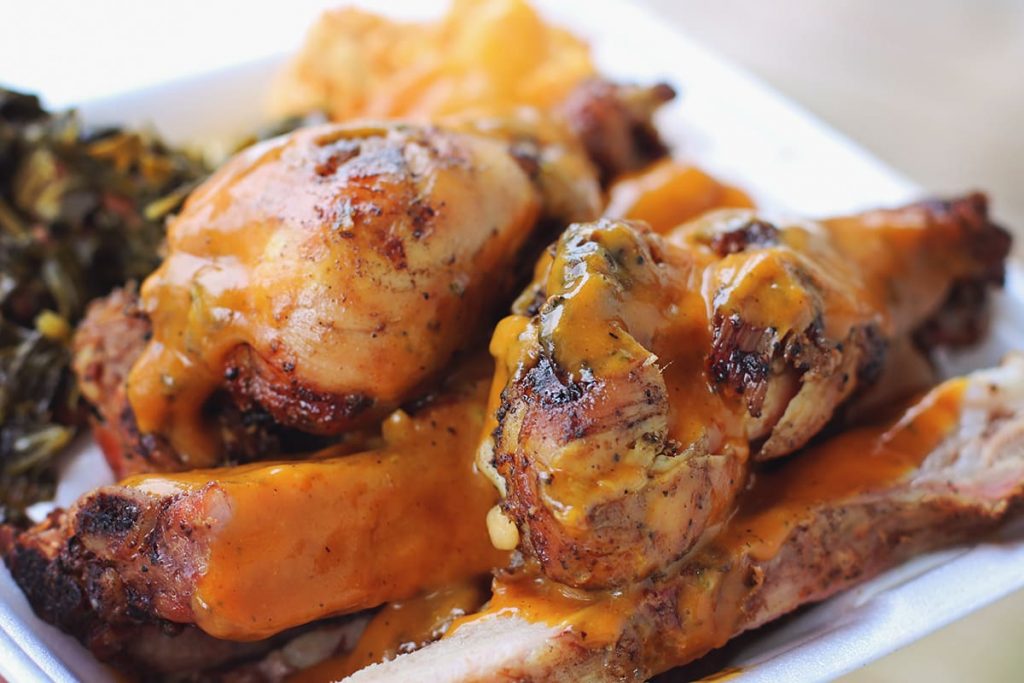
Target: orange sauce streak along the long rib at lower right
pixel 709 601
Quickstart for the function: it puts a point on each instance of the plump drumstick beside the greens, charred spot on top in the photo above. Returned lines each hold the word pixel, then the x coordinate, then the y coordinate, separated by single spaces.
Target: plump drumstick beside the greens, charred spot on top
pixel 324 278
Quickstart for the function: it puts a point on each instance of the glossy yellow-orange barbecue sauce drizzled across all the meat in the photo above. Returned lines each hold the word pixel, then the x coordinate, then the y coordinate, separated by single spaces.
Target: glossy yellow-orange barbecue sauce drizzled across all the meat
pixel 324 533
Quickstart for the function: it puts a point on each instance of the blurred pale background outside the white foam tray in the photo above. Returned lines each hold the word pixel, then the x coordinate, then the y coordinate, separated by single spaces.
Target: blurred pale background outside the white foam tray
pixel 933 88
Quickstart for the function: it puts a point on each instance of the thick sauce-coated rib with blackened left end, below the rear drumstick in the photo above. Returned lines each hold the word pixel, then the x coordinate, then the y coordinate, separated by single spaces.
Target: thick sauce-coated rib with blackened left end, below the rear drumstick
pixel 247 552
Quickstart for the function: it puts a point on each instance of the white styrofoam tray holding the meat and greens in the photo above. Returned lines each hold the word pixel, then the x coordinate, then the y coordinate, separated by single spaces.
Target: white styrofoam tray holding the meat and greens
pixel 741 131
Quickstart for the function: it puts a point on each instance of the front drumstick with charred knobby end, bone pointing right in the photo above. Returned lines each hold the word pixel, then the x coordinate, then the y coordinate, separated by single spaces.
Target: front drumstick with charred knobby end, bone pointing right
pixel 643 374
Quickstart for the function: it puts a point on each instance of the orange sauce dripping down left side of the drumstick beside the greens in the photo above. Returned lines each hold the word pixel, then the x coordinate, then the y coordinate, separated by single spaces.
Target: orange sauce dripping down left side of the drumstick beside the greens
pixel 194 304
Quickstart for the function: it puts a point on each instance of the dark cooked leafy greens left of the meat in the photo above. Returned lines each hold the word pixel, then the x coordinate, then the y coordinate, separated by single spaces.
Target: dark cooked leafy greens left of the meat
pixel 81 212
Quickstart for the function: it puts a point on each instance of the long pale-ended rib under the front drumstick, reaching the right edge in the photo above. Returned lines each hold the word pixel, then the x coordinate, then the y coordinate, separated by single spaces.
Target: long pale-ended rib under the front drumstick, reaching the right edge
pixel 949 469
